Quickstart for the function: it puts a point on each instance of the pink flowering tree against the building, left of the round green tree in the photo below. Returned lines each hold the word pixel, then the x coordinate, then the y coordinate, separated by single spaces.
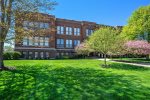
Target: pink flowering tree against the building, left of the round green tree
pixel 83 49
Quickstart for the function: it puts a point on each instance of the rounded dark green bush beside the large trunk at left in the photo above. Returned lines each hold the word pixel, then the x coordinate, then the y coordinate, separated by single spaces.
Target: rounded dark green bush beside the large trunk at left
pixel 11 55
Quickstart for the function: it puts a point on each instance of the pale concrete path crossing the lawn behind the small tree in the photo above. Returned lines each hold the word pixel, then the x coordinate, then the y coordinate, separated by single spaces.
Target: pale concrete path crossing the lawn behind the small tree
pixel 142 65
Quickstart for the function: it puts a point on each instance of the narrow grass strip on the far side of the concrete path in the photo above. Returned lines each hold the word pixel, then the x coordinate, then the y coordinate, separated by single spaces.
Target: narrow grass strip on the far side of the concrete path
pixel 134 60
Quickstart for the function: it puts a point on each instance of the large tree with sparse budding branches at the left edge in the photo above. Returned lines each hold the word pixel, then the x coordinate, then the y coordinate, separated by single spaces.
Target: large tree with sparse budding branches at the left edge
pixel 9 12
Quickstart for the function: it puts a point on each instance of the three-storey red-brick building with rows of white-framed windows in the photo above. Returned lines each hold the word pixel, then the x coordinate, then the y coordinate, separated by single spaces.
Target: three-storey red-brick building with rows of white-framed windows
pixel 55 36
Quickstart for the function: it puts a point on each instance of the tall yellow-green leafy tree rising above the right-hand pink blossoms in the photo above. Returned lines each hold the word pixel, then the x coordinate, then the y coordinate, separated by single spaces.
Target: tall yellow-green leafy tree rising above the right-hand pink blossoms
pixel 138 24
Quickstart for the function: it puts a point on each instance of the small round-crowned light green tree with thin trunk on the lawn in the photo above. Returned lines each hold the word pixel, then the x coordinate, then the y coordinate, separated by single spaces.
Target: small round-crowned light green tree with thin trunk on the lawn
pixel 105 40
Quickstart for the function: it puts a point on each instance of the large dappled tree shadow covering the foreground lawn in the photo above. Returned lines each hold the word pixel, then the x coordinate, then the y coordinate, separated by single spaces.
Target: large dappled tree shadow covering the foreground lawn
pixel 69 83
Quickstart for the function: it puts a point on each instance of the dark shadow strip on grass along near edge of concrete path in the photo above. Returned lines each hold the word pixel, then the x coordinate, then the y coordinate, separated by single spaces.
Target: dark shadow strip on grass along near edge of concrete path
pixel 128 67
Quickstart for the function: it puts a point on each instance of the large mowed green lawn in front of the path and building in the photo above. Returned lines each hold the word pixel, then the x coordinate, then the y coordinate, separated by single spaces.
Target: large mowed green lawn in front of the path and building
pixel 73 80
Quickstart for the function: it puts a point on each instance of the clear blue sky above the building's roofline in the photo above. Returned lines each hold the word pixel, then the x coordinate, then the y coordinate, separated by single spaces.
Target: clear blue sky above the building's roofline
pixel 109 12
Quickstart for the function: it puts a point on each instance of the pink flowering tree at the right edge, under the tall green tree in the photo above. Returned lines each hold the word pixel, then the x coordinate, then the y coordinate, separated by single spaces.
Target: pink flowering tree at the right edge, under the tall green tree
pixel 138 47
